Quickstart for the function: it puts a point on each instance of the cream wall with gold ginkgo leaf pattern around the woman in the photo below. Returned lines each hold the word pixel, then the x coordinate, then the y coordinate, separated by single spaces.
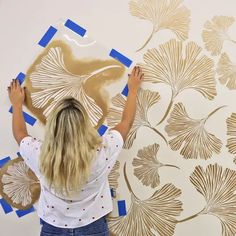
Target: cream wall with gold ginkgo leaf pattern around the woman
pixel 177 172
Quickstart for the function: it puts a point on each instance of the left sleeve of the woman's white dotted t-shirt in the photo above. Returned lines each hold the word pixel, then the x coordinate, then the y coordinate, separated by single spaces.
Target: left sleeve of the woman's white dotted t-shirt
pixel 30 150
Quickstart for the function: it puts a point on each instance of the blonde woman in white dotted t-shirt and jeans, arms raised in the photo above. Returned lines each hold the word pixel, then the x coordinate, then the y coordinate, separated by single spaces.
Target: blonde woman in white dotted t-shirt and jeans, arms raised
pixel 73 162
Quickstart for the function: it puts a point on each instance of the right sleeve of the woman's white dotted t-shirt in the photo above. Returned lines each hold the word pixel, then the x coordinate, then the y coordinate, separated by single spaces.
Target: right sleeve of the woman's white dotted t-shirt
pixel 113 143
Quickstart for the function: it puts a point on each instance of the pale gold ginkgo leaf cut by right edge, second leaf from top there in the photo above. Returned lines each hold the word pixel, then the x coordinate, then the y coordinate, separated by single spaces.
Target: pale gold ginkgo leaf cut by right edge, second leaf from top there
pixel 227 71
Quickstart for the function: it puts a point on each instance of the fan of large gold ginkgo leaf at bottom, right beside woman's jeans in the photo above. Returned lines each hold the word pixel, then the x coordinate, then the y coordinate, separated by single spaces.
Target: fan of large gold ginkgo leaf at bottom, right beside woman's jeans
pixel 162 205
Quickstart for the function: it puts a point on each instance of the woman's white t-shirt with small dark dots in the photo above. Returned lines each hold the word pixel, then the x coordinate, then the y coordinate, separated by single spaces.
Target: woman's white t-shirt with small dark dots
pixel 93 202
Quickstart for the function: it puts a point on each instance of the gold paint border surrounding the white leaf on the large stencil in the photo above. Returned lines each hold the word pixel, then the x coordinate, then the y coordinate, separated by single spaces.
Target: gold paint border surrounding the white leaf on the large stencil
pixel 94 86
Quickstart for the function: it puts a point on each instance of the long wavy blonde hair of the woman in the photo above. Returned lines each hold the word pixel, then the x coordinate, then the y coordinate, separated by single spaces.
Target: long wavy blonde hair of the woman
pixel 69 147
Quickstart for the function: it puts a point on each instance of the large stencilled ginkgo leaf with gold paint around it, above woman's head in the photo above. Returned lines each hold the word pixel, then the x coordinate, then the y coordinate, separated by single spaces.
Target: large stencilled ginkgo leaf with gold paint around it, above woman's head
pixel 56 74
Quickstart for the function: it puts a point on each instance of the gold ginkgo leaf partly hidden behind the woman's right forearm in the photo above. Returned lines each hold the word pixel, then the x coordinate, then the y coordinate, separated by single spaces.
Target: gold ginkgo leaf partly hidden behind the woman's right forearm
pixel 145 100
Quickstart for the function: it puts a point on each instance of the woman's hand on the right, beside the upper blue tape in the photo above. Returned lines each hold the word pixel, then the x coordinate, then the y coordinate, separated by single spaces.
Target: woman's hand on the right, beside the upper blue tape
pixel 135 79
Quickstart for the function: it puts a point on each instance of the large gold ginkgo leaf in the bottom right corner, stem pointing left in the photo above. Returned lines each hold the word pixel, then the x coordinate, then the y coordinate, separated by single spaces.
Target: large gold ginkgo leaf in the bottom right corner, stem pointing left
pixel 218 187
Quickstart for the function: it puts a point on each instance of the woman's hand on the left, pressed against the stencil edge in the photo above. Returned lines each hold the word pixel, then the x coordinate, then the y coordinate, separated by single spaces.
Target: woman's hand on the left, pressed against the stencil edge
pixel 16 93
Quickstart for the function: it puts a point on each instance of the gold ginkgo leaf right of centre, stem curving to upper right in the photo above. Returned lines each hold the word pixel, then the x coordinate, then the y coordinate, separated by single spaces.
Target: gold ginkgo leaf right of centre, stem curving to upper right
pixel 191 133
